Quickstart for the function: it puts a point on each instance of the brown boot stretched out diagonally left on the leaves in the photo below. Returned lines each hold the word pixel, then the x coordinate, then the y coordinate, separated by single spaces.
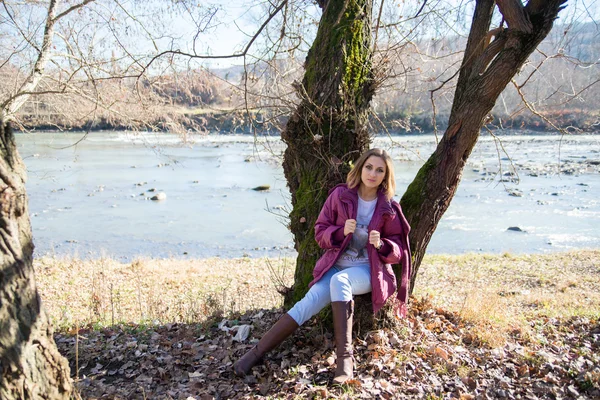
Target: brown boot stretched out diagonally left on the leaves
pixel 283 328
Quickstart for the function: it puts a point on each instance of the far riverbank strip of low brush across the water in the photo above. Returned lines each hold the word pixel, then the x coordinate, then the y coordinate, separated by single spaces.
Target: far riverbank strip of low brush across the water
pixel 244 122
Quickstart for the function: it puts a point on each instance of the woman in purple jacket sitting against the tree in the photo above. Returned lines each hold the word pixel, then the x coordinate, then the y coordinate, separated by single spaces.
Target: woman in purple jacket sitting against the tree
pixel 363 231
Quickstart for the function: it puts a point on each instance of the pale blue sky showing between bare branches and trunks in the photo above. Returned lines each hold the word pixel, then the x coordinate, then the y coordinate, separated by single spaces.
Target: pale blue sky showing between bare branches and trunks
pixel 235 21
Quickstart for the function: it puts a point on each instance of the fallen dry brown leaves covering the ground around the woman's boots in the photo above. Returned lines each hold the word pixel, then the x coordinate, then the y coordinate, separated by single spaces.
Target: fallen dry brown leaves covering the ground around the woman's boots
pixel 434 354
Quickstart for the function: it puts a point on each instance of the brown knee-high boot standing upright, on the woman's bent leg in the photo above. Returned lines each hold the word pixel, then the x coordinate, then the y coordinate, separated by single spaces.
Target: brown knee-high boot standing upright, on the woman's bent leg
pixel 342 327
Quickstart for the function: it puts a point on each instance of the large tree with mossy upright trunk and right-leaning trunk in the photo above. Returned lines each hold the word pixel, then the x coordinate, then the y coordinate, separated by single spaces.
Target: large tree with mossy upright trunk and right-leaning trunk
pixel 323 139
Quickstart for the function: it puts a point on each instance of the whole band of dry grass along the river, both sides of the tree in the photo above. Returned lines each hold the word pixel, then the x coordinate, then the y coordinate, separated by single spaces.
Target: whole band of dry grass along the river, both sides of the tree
pixel 500 293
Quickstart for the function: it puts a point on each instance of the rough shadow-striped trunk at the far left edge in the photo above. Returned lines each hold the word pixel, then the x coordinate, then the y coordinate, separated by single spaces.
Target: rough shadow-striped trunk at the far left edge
pixel 30 365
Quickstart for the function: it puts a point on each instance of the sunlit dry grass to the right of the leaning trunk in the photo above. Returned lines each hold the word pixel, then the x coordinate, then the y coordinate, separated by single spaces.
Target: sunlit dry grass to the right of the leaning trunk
pixel 504 293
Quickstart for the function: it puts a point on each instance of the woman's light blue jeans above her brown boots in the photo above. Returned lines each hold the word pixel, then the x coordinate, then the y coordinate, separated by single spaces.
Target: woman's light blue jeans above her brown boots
pixel 336 285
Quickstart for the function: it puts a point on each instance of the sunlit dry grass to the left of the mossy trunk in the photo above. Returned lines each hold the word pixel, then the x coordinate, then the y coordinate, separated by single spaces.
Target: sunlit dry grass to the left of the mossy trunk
pixel 104 292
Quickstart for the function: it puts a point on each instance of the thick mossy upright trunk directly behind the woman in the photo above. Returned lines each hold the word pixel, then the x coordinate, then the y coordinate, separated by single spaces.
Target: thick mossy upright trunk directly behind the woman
pixel 328 130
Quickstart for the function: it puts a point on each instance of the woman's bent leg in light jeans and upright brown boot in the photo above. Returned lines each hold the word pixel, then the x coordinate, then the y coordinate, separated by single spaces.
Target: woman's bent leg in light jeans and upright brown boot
pixel 345 284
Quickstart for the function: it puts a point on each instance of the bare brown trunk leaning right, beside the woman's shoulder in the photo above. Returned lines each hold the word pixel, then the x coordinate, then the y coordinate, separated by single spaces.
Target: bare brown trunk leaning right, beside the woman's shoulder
pixel 485 72
